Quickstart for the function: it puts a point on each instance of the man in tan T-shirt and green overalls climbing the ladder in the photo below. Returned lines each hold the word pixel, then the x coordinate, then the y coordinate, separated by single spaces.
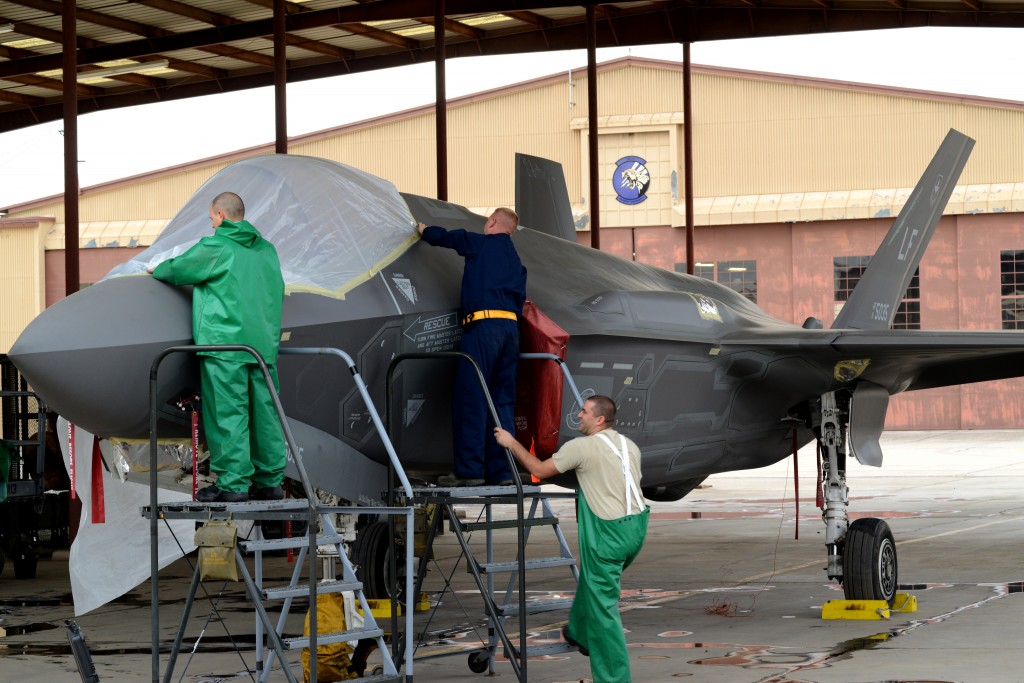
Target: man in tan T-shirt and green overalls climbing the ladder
pixel 613 523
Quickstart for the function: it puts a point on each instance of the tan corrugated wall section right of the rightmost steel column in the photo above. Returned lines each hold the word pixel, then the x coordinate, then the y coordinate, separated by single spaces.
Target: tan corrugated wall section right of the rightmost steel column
pixel 760 137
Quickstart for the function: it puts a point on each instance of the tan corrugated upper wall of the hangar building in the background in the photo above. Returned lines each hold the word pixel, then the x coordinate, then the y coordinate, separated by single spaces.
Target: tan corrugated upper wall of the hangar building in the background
pixel 754 135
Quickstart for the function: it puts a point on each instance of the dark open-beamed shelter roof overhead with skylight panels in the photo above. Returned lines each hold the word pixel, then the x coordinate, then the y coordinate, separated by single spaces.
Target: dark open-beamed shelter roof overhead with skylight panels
pixel 139 52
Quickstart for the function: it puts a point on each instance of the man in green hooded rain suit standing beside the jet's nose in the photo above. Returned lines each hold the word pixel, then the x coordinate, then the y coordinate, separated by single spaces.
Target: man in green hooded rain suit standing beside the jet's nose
pixel 237 298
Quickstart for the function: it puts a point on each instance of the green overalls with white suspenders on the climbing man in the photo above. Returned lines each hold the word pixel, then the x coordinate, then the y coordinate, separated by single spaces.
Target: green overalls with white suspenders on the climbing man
pixel 607 548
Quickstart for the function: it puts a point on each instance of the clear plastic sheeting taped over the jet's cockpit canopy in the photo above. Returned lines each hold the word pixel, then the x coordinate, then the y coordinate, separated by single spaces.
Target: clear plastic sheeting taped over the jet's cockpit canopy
pixel 333 226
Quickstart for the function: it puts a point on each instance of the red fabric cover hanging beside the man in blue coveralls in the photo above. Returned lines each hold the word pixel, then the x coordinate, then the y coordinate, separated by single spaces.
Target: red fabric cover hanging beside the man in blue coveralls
pixel 539 387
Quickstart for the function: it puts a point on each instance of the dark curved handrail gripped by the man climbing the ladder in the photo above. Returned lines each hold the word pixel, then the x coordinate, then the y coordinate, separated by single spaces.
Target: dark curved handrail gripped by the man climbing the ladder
pixel 521 668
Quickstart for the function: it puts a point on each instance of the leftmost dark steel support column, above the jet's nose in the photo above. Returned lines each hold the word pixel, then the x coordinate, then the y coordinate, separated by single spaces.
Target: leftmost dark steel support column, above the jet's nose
pixel 69 31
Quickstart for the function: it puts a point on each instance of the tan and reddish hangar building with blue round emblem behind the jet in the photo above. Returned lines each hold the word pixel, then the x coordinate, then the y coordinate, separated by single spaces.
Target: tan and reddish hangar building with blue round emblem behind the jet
pixel 796 181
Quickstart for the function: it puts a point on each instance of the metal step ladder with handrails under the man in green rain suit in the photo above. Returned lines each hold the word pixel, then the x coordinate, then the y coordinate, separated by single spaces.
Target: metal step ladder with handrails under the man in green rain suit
pixel 317 516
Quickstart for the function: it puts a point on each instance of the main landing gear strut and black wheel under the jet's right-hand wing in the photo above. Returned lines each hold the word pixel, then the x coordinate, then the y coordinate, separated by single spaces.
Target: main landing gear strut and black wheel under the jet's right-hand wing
pixel 863 554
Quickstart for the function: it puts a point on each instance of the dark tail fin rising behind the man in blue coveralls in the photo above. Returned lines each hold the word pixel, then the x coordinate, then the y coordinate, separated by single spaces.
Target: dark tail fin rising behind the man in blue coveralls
pixel 541 198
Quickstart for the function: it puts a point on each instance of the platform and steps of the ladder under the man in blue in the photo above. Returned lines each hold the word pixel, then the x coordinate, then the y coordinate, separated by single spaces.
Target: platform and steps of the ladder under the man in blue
pixel 501 605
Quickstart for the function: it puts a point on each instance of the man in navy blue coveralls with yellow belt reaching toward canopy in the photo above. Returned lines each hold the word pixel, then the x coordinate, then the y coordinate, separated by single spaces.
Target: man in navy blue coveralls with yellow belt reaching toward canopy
pixel 494 290
